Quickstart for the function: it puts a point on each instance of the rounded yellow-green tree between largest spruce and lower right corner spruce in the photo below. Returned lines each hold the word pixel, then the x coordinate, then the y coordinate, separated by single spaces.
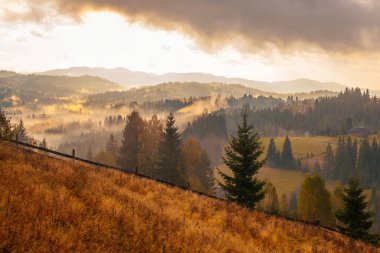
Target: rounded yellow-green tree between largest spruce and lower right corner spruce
pixel 314 201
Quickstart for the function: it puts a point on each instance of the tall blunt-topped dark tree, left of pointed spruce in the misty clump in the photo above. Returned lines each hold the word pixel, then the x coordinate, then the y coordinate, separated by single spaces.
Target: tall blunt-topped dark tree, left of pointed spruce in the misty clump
pixel 128 153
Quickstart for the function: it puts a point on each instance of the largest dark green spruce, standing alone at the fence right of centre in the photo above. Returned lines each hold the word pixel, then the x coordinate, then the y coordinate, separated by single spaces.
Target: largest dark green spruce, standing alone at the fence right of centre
pixel 242 157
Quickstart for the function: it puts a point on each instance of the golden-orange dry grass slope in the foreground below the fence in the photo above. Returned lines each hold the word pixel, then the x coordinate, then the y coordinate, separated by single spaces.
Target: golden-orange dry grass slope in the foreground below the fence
pixel 49 205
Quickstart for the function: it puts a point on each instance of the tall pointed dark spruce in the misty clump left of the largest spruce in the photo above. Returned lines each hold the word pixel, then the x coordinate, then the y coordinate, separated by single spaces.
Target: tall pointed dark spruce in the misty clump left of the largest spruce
pixel 170 159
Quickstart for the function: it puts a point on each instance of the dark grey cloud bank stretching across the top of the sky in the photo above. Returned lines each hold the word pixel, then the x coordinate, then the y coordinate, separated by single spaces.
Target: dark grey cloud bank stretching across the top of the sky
pixel 346 26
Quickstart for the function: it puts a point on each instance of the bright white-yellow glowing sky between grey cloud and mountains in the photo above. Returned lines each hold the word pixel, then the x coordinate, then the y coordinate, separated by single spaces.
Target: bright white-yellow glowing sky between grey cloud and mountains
pixel 106 39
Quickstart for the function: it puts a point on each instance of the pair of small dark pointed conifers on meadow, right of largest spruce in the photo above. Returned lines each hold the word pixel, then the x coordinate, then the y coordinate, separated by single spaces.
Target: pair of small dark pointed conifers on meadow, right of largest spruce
pixel 282 159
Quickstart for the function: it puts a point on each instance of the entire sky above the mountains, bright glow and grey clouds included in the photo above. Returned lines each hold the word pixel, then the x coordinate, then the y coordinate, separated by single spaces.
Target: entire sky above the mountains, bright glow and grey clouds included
pixel 266 40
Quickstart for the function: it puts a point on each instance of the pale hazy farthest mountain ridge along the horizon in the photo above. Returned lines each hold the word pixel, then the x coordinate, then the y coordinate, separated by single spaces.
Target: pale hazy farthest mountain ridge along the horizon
pixel 130 78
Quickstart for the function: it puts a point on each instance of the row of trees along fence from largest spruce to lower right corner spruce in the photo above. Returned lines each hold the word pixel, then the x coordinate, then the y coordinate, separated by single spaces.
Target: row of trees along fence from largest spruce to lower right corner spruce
pixel 242 157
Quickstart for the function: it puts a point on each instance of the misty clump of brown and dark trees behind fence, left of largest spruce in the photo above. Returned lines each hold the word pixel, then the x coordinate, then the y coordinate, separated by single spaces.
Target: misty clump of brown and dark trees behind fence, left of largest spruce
pixel 158 151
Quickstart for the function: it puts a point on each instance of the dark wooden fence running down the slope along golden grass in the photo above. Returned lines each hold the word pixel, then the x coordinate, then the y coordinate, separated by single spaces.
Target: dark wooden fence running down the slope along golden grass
pixel 135 172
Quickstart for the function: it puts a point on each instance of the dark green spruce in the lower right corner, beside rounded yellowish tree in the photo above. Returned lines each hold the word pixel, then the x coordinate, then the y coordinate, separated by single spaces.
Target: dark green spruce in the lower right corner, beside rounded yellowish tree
pixel 354 216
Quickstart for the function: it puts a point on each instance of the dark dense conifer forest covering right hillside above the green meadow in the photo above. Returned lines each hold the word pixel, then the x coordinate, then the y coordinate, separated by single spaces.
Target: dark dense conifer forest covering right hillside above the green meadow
pixel 324 116
